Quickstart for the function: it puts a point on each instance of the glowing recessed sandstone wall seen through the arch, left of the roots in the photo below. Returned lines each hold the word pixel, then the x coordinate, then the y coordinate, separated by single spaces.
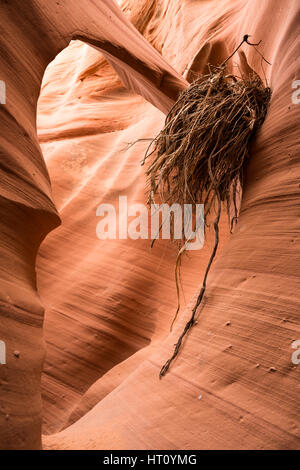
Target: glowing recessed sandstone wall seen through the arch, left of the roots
pixel 108 298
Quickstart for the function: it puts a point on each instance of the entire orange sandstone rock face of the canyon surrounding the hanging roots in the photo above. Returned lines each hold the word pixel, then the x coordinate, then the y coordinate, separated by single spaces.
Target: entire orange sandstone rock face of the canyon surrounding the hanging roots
pixel 109 303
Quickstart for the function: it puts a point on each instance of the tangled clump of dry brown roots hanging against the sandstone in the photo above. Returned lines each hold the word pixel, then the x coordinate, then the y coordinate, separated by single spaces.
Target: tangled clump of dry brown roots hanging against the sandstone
pixel 201 153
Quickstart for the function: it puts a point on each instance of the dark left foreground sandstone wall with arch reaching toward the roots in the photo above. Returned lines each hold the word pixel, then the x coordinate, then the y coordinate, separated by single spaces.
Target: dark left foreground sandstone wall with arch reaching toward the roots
pixel 32 34
